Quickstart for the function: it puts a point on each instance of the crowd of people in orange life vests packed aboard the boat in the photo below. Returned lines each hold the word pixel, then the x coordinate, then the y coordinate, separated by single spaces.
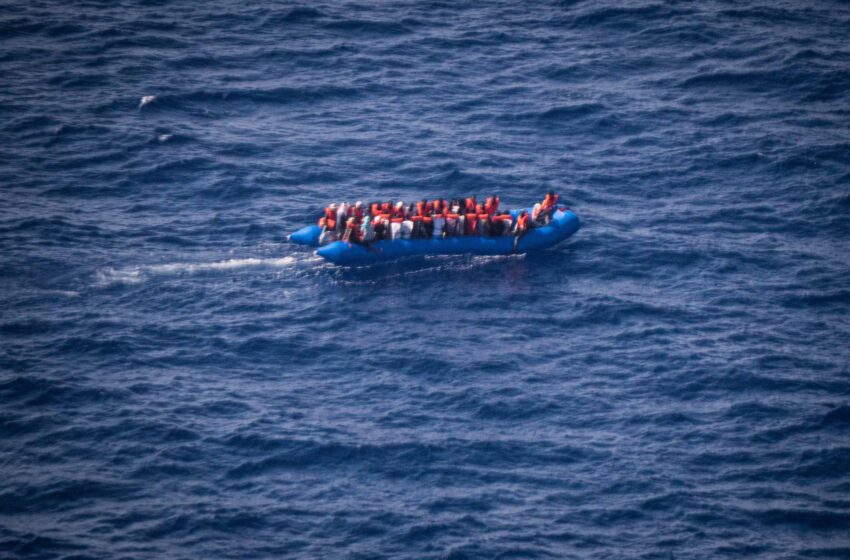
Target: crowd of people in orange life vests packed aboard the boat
pixel 429 219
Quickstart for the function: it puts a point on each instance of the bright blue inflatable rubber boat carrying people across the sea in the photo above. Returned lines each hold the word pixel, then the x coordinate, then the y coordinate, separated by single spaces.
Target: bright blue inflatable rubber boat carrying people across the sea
pixel 564 223
